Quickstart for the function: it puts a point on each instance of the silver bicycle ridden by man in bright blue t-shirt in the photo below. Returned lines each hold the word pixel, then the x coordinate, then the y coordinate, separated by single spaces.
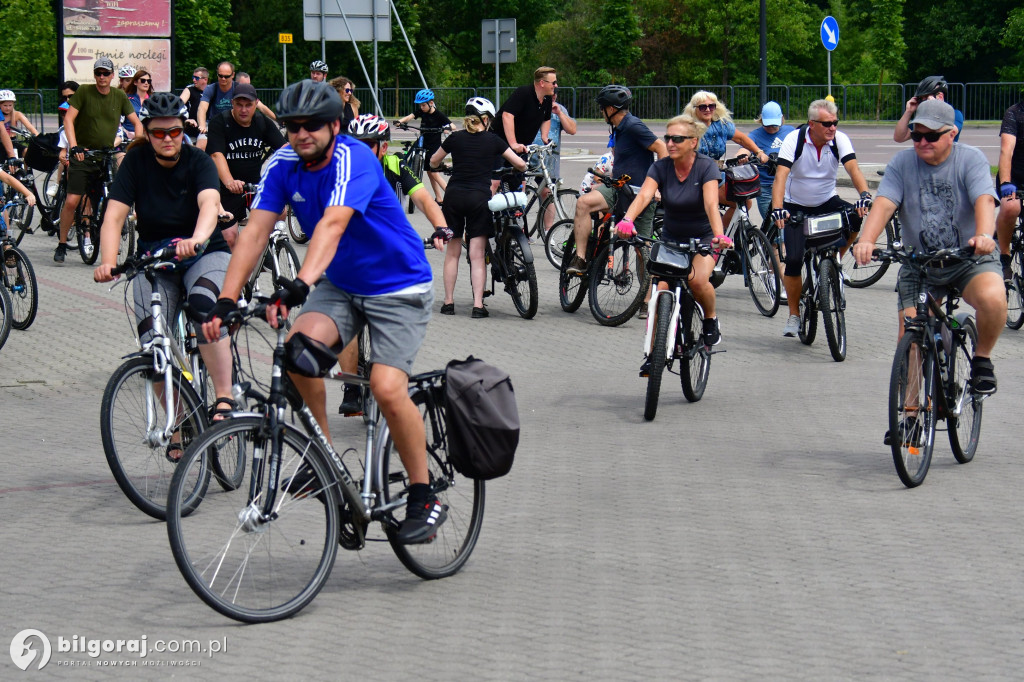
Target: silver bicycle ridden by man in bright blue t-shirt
pixel 263 551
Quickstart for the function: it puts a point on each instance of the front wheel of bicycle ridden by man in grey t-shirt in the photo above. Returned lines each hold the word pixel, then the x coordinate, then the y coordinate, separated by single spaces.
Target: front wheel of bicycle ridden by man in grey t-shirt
pixel 912 410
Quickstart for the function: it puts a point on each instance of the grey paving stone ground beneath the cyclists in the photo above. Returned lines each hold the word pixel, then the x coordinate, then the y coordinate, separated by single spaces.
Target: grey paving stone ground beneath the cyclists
pixel 759 534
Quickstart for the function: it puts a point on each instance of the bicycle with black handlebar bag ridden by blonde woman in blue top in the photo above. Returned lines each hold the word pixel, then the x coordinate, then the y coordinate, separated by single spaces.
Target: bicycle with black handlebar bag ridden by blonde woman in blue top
pixel 753 257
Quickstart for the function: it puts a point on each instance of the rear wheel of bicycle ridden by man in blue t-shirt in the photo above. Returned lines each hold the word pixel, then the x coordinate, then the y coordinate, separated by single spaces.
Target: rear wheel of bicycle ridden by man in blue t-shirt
pixel 463 498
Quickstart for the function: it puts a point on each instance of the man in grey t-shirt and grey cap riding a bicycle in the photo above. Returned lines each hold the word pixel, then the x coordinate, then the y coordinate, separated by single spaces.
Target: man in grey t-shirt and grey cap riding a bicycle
pixel 946 197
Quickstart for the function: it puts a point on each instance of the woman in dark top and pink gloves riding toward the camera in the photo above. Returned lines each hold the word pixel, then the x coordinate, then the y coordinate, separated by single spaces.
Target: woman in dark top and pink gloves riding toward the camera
pixel 689 183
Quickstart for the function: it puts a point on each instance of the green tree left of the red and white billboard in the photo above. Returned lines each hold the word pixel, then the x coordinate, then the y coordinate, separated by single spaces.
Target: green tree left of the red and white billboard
pixel 30 45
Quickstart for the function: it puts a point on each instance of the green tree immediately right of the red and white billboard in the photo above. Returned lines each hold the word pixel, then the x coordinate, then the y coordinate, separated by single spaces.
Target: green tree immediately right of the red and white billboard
pixel 202 36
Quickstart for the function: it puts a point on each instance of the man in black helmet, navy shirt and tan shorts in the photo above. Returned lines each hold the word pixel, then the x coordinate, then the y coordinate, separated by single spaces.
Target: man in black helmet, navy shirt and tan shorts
pixel 635 150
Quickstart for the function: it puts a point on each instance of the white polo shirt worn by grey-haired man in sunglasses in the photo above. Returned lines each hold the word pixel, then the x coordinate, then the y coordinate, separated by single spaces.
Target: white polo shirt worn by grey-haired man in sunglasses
pixel 813 178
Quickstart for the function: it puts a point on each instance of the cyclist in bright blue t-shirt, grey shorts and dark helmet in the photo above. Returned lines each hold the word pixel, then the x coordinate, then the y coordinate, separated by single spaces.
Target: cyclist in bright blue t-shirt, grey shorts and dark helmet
pixel 377 275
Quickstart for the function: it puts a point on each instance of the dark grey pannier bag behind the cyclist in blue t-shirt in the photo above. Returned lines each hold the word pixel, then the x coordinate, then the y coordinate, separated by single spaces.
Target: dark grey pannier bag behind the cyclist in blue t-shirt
pixel 483 419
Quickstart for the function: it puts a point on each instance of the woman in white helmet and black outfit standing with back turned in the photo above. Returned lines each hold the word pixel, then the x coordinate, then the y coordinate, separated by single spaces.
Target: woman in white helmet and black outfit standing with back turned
pixel 475 152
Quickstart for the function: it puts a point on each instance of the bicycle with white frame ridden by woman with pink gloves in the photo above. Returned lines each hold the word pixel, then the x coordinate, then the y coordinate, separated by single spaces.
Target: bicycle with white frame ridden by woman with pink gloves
pixel 676 327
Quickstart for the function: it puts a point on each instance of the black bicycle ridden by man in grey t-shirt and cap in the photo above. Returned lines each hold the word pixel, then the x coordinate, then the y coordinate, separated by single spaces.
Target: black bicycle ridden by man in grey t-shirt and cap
pixel 931 375
